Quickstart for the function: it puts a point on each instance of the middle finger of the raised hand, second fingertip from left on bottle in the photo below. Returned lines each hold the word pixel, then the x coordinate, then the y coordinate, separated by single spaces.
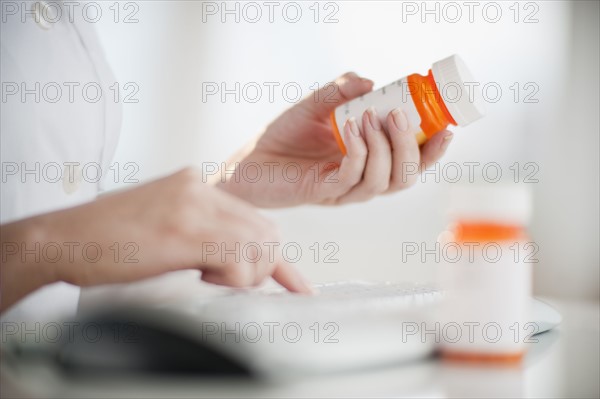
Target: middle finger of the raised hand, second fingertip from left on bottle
pixel 378 168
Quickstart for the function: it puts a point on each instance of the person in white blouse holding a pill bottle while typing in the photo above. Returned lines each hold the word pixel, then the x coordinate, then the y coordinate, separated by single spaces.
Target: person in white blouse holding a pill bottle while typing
pixel 50 224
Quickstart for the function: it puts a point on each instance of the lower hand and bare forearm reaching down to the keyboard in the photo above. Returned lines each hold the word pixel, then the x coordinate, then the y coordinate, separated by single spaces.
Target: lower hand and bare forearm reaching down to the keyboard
pixel 173 223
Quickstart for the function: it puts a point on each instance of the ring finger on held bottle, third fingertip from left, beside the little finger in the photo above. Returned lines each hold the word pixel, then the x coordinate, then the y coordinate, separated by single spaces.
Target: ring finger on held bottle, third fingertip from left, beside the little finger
pixel 405 151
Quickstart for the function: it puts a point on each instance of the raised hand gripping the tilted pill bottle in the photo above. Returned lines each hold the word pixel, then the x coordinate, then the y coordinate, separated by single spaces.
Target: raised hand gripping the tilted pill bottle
pixel 300 162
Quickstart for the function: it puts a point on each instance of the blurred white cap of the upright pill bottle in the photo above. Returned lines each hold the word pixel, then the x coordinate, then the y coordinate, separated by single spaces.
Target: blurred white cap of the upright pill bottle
pixel 503 203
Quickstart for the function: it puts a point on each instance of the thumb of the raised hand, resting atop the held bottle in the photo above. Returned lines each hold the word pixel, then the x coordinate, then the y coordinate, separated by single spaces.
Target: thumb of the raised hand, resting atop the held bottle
pixel 343 89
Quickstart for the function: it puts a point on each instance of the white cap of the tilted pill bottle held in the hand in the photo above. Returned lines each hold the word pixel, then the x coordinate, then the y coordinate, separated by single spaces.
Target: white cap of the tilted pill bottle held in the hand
pixel 464 102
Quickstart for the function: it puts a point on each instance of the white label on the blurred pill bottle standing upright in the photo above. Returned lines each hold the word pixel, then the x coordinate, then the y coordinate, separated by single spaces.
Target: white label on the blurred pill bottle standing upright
pixel 487 301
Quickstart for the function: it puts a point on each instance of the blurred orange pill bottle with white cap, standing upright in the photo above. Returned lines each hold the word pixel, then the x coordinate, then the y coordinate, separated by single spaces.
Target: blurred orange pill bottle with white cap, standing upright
pixel 486 275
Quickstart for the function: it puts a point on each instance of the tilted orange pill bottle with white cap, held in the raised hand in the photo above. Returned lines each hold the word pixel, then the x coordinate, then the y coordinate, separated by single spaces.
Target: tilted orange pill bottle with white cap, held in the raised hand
pixel 445 96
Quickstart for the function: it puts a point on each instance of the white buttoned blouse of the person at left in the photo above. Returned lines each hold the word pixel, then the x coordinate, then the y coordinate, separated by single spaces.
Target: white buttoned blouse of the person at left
pixel 59 127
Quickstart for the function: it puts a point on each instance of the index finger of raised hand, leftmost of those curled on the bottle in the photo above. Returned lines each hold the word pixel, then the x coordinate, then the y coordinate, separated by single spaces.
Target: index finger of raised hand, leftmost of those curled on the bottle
pixel 351 169
